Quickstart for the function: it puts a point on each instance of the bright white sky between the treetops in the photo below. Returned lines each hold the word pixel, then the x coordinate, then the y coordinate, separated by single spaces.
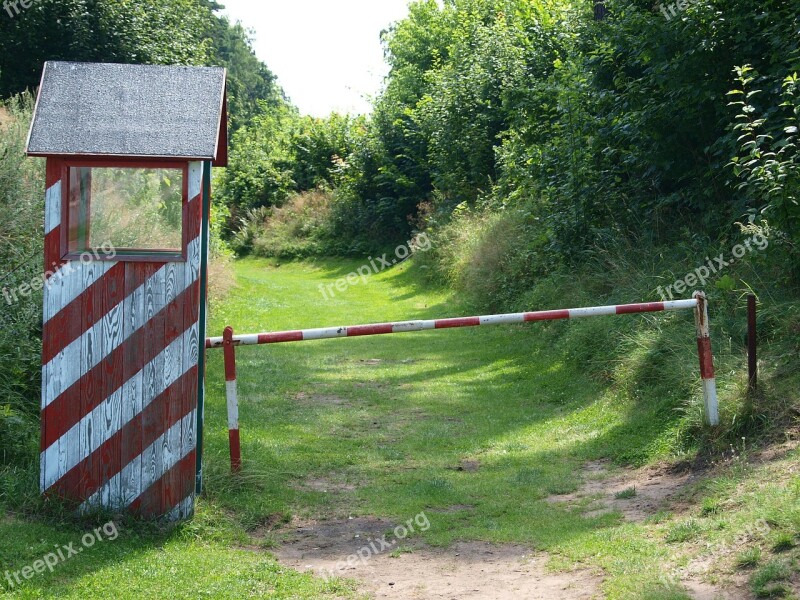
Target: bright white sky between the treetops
pixel 327 55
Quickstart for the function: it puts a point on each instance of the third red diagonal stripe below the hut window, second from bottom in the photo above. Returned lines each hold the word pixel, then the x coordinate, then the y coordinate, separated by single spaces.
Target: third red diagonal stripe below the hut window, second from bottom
pixel 87 477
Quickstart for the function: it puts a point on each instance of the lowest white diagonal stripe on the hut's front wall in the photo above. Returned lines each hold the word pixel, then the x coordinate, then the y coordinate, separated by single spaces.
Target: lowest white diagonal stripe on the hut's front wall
pixel 103 497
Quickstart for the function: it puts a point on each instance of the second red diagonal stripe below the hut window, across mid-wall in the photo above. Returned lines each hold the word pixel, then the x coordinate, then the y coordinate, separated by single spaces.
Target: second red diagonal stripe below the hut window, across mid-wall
pixel 152 338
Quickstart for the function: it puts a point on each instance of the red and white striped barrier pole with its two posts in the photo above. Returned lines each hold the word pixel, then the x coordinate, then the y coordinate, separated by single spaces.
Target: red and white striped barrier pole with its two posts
pixel 229 341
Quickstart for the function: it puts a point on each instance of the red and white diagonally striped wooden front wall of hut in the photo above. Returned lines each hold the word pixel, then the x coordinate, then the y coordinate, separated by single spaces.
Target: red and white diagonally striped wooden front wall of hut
pixel 120 371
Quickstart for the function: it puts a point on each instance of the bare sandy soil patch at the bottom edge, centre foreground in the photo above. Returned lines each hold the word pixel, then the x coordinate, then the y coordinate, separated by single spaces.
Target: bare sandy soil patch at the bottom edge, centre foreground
pixel 471 570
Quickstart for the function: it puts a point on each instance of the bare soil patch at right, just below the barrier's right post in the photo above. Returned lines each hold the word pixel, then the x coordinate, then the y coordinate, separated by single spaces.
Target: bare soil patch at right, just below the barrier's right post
pixel 637 494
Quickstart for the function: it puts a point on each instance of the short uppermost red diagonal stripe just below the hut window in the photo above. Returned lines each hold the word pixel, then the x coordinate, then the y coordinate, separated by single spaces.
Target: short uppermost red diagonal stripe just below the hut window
pixel 65 327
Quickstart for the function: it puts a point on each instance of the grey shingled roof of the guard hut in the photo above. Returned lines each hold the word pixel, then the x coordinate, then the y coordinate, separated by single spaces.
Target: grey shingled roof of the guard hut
pixel 138 111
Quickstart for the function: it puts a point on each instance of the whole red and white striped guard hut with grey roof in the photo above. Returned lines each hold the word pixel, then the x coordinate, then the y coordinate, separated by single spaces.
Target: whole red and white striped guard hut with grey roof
pixel 129 153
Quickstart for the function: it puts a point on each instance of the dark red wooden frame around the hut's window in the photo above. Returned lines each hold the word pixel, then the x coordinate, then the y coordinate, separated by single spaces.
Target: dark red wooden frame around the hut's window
pixel 124 254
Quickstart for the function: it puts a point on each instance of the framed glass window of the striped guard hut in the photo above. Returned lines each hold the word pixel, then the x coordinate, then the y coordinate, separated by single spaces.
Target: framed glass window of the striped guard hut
pixel 137 210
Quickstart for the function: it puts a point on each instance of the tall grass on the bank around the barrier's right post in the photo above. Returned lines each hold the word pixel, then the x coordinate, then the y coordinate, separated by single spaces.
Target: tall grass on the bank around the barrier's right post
pixel 502 261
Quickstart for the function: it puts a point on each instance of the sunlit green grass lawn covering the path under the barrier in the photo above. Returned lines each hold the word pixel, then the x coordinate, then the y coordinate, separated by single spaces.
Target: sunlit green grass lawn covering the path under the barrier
pixel 495 418
